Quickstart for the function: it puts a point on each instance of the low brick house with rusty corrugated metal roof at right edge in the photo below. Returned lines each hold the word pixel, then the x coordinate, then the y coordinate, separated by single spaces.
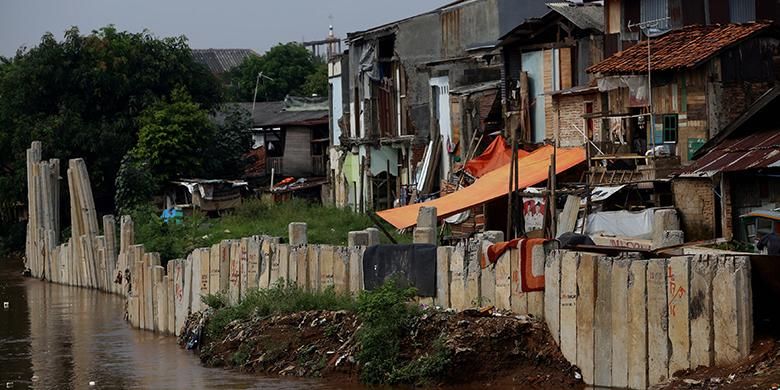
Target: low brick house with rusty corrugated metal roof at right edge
pixel 735 173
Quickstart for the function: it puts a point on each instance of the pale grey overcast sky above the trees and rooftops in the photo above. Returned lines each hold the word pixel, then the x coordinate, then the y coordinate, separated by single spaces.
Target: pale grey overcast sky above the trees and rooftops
pixel 254 24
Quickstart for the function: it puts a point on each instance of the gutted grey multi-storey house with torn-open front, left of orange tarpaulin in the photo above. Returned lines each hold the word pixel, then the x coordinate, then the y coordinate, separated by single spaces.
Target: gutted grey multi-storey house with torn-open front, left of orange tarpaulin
pixel 399 133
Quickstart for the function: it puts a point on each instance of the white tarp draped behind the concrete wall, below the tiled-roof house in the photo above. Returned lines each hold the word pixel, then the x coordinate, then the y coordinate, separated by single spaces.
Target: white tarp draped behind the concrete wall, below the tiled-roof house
pixel 622 223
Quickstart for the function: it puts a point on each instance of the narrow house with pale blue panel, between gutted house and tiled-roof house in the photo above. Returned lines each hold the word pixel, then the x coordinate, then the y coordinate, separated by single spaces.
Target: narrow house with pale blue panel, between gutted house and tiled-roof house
pixel 547 88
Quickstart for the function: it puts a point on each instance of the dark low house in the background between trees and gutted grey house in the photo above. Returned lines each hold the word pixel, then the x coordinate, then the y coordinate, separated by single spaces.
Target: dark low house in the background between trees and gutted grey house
pixel 292 135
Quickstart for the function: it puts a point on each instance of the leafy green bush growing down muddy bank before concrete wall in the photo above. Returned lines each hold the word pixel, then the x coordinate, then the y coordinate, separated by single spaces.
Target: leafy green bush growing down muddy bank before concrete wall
pixel 385 314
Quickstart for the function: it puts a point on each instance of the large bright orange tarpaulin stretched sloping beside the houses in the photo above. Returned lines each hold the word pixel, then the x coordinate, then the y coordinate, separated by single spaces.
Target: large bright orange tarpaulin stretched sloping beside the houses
pixel 532 169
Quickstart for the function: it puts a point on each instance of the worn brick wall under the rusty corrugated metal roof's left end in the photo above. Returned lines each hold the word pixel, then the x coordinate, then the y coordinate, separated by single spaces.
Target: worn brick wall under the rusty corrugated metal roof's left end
pixel 695 202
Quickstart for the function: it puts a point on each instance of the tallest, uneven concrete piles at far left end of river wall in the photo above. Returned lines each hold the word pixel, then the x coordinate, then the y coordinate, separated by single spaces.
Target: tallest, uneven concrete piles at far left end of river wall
pixel 87 259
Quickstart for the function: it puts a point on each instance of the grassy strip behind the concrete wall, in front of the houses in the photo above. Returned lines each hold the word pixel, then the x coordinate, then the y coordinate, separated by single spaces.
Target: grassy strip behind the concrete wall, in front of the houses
pixel 326 225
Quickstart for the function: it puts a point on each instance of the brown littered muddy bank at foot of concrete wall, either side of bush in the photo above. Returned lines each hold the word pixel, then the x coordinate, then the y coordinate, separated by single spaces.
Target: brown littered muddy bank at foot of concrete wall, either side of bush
pixel 480 349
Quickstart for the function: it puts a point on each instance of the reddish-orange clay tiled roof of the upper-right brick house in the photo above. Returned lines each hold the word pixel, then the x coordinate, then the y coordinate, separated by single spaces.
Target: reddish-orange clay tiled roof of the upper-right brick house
pixel 678 49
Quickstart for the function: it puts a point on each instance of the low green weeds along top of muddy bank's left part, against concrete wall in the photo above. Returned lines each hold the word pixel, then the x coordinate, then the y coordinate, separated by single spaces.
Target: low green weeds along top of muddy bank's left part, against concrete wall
pixel 280 299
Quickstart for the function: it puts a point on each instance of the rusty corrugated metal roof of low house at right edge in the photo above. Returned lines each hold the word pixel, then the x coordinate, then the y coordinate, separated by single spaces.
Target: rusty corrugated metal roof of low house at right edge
pixel 754 151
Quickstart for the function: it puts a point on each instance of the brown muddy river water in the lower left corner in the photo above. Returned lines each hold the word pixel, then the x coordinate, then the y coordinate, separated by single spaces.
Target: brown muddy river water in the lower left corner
pixel 54 336
